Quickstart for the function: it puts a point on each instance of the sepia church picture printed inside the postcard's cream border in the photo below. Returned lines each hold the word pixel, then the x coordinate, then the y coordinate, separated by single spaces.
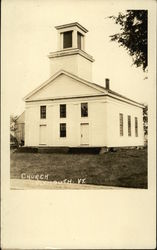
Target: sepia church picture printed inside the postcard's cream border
pixel 73 131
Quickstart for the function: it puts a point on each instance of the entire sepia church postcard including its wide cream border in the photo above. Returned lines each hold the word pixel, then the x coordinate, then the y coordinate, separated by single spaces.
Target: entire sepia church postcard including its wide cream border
pixel 78 95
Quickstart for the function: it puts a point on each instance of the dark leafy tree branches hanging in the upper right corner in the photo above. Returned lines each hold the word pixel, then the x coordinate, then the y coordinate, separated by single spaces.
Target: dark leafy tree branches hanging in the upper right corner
pixel 133 35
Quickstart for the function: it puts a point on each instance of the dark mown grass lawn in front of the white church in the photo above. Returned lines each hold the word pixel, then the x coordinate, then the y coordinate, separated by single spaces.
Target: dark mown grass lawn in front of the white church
pixel 126 168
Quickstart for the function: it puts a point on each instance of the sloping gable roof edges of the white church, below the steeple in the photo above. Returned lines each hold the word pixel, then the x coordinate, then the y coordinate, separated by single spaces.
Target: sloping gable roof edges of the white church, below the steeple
pixel 103 90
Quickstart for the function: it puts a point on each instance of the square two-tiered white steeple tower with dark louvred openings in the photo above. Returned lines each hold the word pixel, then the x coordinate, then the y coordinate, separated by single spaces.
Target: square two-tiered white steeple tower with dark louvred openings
pixel 71 56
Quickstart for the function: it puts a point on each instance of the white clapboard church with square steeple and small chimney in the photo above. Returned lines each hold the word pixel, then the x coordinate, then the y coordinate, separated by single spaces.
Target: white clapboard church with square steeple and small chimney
pixel 69 110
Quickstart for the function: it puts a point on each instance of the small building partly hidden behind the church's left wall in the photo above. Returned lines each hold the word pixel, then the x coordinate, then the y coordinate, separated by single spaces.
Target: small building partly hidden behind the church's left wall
pixel 20 128
